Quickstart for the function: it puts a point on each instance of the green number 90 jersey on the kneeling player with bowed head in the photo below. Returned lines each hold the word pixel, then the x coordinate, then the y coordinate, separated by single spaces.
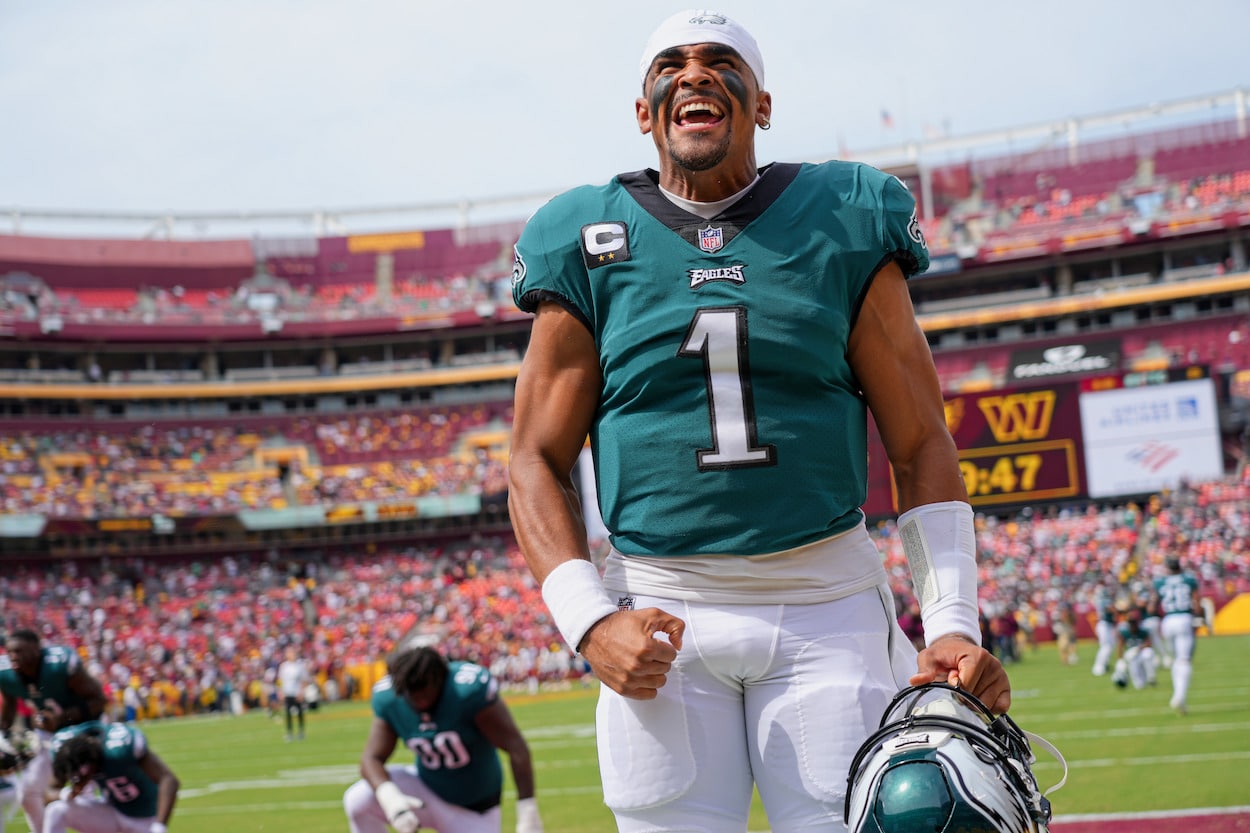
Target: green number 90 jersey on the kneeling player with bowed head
pixel 453 757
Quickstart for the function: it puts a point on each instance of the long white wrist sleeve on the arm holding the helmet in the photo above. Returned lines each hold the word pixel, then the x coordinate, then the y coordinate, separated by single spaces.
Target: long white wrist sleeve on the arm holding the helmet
pixel 941 545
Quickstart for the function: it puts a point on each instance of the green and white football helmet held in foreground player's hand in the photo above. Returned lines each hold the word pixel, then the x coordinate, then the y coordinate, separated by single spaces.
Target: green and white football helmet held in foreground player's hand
pixel 943 762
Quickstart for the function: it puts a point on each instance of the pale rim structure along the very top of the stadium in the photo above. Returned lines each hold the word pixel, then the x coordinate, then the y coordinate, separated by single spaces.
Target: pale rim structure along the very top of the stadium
pixel 1072 138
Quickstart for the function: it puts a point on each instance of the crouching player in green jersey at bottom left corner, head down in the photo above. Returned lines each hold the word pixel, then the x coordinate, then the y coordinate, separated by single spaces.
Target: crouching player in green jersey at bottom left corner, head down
pixel 137 790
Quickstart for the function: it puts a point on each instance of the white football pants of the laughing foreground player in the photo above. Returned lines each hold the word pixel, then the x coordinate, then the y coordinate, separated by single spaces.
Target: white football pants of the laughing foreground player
pixel 773 696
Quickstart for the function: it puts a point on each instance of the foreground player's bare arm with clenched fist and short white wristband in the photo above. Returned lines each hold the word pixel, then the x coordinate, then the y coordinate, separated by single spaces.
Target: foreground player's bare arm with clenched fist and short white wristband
pixel 558 391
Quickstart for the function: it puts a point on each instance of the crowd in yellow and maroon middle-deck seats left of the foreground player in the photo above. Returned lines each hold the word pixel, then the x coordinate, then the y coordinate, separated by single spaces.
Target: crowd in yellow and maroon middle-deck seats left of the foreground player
pixel 223 470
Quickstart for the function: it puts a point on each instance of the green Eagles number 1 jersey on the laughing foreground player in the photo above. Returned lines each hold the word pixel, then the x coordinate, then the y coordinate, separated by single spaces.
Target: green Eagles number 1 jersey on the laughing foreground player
pixel 731 421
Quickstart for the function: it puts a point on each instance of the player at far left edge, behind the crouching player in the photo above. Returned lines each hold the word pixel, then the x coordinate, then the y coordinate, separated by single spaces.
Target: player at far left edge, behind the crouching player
pixel 62 692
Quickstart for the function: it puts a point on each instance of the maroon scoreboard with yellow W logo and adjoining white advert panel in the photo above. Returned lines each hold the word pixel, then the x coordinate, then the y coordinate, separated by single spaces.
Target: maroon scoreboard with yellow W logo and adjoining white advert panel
pixel 1102 436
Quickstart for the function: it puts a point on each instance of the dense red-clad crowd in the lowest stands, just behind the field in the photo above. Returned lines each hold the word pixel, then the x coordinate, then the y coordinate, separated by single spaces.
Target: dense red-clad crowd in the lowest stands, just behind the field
pixel 176 639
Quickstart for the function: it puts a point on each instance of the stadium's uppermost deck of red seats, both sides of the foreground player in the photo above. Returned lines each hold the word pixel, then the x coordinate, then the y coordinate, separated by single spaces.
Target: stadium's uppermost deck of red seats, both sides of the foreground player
pixel 1023 226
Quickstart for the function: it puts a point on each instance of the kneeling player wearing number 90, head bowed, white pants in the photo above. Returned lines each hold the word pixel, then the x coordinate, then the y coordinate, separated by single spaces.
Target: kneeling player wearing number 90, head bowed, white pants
pixel 451 716
